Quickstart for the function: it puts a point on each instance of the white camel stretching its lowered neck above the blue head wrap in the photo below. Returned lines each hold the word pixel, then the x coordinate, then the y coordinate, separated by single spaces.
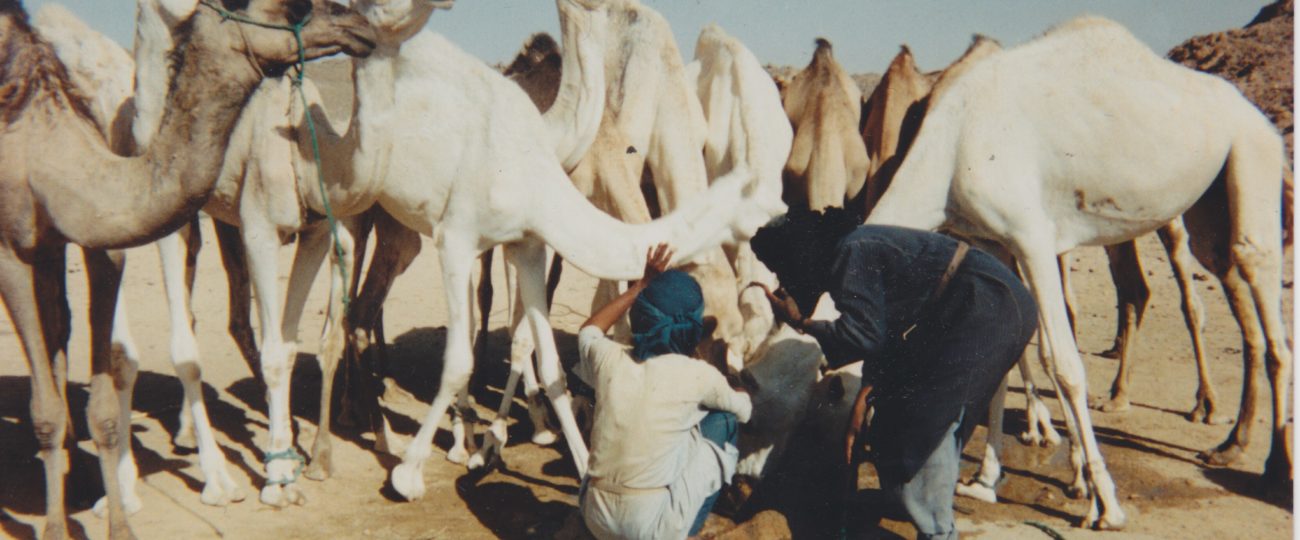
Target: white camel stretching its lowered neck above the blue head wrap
pixel 483 172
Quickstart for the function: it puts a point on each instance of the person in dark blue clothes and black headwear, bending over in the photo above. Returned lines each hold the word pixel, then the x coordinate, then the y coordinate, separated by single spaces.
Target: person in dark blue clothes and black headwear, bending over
pixel 937 325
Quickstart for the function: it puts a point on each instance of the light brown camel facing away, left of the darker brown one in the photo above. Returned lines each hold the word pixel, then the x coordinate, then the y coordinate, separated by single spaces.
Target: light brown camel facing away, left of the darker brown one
pixel 829 163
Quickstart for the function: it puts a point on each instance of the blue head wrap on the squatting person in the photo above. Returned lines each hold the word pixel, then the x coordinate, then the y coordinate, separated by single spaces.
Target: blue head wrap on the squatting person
pixel 668 317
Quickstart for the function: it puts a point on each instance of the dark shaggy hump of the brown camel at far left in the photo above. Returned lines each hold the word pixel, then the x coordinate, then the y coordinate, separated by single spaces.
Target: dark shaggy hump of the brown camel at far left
pixel 29 68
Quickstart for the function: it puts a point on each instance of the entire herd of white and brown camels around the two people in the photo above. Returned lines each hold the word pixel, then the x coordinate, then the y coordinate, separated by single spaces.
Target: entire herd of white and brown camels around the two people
pixel 593 150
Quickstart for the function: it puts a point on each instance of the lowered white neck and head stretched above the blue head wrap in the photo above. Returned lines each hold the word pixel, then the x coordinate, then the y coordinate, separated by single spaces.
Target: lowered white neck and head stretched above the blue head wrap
pixel 610 249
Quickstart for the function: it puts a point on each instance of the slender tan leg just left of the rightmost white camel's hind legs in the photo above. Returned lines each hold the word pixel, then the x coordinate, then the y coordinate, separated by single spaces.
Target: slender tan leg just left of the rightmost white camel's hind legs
pixel 1176 240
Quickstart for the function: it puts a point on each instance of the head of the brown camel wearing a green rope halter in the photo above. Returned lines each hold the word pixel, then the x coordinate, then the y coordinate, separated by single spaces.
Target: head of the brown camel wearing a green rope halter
pixel 258 29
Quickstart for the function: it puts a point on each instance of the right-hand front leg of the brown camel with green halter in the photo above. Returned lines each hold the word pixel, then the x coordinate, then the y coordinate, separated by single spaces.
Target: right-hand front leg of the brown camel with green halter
pixel 112 381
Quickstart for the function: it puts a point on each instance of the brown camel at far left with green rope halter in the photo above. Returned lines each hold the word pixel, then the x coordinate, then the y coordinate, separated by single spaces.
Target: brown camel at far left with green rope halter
pixel 81 192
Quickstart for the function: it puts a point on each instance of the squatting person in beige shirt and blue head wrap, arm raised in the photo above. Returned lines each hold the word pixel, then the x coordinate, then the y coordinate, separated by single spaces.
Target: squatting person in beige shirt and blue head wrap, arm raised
pixel 664 439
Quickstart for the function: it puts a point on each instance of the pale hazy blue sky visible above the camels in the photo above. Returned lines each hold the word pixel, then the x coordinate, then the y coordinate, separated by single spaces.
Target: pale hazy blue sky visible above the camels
pixel 866 34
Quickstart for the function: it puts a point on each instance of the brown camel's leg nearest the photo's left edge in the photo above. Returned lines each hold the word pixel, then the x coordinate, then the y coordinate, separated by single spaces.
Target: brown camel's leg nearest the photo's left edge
pixel 23 291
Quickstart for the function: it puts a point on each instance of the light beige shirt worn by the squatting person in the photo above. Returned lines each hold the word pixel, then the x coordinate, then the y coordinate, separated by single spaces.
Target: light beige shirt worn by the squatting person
pixel 647 413
